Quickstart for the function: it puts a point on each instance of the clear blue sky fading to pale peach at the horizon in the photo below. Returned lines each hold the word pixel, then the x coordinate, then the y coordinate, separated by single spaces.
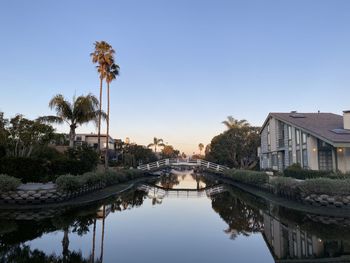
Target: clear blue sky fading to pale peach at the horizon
pixel 185 65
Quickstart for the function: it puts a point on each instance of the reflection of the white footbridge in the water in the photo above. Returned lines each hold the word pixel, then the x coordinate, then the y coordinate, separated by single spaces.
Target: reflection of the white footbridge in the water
pixel 162 192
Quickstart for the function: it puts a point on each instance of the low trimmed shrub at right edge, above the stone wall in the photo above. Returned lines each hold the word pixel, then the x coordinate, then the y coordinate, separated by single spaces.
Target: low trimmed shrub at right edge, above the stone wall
pixel 325 186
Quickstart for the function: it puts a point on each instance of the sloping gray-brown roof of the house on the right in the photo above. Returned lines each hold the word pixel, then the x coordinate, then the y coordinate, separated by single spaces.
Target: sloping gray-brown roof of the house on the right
pixel 326 126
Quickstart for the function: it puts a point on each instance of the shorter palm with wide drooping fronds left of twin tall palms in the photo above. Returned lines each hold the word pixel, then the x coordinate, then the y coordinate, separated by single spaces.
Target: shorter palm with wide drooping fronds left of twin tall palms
pixel 81 110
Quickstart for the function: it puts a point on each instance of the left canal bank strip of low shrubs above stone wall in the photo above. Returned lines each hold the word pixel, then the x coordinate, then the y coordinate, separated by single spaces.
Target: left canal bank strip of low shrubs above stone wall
pixel 66 187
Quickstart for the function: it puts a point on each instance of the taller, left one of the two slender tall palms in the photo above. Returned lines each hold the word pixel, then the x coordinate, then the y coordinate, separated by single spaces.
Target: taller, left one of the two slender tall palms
pixel 103 57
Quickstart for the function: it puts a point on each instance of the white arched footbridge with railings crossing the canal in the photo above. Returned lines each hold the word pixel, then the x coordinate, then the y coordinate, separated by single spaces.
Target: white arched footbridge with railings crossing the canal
pixel 182 162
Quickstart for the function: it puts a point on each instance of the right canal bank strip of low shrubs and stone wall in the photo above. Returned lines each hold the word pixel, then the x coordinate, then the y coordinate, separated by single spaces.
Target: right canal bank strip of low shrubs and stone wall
pixel 322 192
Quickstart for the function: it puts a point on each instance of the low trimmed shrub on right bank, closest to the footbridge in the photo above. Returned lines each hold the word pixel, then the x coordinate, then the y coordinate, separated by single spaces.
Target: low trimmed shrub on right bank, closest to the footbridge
pixel 248 177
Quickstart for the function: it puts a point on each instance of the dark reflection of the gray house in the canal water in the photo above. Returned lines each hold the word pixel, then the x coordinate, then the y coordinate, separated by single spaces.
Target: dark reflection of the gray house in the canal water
pixel 289 243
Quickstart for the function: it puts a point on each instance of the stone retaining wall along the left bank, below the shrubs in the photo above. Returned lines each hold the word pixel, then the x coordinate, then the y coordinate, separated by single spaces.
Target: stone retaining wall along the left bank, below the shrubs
pixel 44 196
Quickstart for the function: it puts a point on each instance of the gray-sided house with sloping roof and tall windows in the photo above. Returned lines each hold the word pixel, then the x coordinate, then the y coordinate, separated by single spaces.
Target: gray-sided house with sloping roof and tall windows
pixel 317 141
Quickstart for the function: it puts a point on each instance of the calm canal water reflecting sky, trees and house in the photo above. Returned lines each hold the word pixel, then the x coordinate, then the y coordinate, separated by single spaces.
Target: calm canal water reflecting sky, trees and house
pixel 179 217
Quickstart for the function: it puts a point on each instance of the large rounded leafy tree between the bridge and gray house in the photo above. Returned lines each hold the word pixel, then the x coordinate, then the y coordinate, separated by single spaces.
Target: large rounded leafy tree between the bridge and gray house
pixel 236 147
